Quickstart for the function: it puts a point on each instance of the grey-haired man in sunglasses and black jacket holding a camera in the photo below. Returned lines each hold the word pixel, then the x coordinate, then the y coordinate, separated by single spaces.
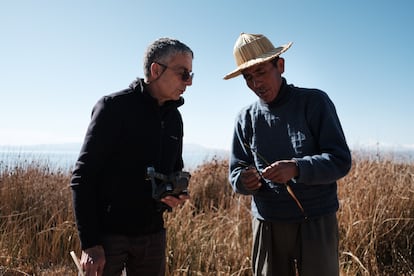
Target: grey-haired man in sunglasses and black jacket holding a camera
pixel 120 224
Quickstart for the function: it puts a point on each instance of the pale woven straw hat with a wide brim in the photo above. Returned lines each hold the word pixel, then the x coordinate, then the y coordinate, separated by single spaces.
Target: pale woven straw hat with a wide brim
pixel 252 49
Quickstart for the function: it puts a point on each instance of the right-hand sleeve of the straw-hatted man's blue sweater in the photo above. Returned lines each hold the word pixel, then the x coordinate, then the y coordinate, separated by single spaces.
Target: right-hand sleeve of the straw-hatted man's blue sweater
pixel 333 160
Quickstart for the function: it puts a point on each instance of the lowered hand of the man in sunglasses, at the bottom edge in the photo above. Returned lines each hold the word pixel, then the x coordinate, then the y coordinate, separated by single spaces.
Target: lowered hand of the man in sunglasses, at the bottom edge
pixel 93 260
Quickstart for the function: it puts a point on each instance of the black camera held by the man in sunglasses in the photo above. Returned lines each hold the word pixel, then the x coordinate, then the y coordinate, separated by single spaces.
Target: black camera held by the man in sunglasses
pixel 163 185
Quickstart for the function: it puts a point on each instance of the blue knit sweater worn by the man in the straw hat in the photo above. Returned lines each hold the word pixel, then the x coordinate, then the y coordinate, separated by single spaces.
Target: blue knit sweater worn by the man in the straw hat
pixel 301 124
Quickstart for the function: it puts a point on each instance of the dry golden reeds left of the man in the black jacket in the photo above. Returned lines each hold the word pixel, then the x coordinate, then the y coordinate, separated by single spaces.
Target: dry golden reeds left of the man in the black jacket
pixel 36 223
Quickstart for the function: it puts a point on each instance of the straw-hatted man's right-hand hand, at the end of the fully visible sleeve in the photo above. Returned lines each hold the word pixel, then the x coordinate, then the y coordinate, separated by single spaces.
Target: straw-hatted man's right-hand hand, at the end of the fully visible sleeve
pixel 281 171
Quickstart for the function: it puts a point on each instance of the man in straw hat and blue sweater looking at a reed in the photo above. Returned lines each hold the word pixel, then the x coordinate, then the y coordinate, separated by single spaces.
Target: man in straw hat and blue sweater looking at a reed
pixel 288 151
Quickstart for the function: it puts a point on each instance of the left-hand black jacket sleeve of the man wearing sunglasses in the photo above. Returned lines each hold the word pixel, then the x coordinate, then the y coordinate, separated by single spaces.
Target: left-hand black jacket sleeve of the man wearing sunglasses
pixel 85 177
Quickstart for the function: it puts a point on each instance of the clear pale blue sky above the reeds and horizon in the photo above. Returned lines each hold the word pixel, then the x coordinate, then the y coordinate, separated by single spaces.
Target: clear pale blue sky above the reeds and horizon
pixel 57 58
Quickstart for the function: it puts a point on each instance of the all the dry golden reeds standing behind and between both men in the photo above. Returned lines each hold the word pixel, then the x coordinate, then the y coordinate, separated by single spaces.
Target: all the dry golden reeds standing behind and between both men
pixel 210 234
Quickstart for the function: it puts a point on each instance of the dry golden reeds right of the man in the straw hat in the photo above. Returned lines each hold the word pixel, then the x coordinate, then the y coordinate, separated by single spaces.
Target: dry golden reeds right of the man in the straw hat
pixel 377 218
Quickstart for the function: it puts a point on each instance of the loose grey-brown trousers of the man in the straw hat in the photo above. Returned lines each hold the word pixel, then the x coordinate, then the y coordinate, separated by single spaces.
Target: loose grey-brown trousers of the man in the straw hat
pixel 305 248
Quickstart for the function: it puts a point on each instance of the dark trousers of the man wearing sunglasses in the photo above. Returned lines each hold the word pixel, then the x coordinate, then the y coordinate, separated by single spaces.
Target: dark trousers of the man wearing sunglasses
pixel 140 255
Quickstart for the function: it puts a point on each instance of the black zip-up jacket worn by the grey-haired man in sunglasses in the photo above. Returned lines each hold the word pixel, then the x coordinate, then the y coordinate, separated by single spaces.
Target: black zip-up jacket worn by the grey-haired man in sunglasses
pixel 127 133
